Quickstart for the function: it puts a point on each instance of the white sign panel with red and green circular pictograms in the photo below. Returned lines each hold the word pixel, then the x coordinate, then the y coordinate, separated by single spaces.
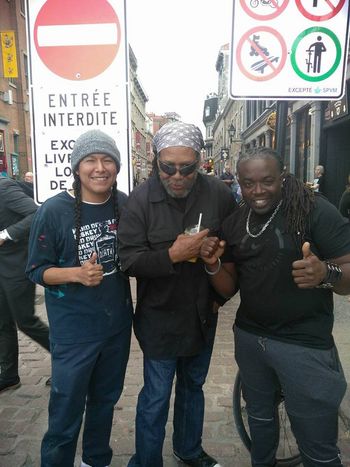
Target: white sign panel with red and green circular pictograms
pixel 289 49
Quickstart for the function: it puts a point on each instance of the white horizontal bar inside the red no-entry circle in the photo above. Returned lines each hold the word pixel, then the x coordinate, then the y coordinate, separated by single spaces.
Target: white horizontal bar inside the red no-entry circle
pixel 77 34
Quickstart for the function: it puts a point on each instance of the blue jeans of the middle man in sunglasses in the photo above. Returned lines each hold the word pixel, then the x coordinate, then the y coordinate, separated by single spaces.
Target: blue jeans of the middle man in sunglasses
pixel 153 408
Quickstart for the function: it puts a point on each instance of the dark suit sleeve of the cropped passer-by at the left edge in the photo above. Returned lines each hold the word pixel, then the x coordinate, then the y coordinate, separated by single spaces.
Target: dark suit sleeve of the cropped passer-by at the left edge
pixel 18 202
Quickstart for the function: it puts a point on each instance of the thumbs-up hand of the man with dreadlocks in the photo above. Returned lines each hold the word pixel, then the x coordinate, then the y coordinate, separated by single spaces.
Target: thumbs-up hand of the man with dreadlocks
pixel 309 271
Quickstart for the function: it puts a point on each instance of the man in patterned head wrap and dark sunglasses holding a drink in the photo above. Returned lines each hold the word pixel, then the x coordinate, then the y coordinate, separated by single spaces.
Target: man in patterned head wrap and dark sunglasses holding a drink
pixel 176 310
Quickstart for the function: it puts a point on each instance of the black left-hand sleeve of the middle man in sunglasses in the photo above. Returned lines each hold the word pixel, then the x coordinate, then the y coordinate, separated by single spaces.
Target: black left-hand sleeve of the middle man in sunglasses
pixel 136 256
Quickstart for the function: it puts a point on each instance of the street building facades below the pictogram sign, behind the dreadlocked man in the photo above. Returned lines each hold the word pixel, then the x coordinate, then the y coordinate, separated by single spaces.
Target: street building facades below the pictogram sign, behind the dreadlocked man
pixel 316 133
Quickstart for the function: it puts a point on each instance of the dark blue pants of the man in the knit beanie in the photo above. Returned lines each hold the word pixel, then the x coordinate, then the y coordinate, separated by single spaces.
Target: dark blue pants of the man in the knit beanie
pixel 88 377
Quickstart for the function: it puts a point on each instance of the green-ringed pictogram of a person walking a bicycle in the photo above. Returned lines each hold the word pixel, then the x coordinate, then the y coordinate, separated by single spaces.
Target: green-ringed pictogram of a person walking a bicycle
pixel 316 54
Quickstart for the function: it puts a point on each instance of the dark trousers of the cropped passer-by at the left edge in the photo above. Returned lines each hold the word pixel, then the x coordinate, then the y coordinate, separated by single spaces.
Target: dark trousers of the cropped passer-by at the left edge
pixel 17 309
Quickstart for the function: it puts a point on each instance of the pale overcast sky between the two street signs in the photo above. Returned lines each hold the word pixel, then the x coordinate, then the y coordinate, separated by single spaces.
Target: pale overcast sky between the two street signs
pixel 176 43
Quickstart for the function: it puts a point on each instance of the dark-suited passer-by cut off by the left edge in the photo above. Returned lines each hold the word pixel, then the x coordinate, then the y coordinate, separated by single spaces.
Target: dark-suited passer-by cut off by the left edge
pixel 17 292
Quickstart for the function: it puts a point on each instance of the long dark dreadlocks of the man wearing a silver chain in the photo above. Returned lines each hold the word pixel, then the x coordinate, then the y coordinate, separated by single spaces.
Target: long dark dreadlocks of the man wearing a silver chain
pixel 297 199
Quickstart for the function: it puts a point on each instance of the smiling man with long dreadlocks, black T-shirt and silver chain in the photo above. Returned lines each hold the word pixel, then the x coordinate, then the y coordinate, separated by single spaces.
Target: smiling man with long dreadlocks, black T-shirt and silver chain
pixel 287 250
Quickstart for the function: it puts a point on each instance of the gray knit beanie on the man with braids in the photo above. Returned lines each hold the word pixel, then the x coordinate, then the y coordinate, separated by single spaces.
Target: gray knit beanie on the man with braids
pixel 94 142
